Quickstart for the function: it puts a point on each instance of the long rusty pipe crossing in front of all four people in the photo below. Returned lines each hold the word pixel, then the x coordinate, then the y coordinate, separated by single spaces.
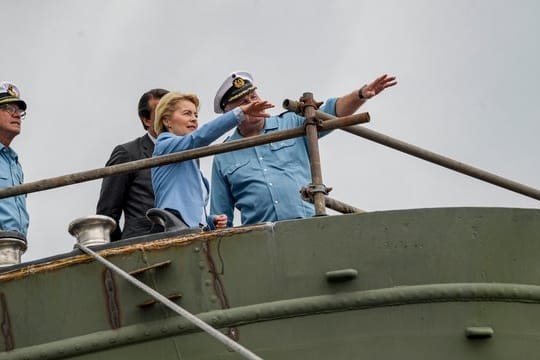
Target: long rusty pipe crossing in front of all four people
pixel 88 175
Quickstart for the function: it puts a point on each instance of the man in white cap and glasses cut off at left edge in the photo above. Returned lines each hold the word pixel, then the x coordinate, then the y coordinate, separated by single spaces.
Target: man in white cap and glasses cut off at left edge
pixel 13 213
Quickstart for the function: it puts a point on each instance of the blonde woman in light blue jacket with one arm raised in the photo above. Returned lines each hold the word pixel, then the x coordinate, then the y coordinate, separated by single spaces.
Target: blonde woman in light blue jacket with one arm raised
pixel 180 187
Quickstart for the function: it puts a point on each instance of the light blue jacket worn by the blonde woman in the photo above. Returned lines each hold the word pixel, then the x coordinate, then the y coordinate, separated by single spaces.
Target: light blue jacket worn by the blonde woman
pixel 178 186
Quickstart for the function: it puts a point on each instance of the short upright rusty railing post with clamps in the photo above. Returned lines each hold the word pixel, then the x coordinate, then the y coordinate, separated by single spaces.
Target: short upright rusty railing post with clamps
pixel 316 189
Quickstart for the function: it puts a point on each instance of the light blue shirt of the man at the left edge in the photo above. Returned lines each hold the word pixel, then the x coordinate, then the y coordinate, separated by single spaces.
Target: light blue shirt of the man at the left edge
pixel 13 213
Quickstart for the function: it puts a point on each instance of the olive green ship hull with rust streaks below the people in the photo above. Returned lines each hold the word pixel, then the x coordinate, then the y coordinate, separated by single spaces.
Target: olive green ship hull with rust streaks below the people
pixel 430 283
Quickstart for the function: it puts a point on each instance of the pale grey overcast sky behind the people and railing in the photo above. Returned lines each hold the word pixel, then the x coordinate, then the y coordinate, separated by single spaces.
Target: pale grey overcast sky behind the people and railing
pixel 468 73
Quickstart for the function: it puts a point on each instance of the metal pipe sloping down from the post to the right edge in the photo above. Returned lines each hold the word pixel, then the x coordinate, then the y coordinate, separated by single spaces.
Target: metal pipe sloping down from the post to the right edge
pixel 427 155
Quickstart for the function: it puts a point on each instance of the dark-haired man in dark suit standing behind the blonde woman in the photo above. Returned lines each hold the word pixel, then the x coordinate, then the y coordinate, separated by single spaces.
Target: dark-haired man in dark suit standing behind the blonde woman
pixel 131 193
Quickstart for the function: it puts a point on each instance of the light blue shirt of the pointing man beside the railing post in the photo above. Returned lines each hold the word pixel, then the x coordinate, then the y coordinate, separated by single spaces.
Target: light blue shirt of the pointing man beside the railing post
pixel 264 182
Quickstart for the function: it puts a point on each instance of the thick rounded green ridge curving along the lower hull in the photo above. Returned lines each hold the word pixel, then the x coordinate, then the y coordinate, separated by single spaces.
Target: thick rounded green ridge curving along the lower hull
pixel 322 304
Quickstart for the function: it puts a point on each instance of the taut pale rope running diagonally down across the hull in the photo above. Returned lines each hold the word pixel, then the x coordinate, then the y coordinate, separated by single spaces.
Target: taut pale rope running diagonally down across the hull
pixel 174 307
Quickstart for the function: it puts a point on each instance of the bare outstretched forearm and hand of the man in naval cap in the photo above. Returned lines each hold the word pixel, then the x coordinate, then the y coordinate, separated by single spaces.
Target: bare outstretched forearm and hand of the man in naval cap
pixel 348 104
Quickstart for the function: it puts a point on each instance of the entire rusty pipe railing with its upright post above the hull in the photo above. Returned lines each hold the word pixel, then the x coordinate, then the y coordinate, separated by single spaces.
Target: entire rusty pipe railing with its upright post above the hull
pixel 316 191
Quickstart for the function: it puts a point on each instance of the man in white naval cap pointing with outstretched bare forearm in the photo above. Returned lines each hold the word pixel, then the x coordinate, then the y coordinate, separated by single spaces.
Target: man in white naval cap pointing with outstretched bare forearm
pixel 264 182
